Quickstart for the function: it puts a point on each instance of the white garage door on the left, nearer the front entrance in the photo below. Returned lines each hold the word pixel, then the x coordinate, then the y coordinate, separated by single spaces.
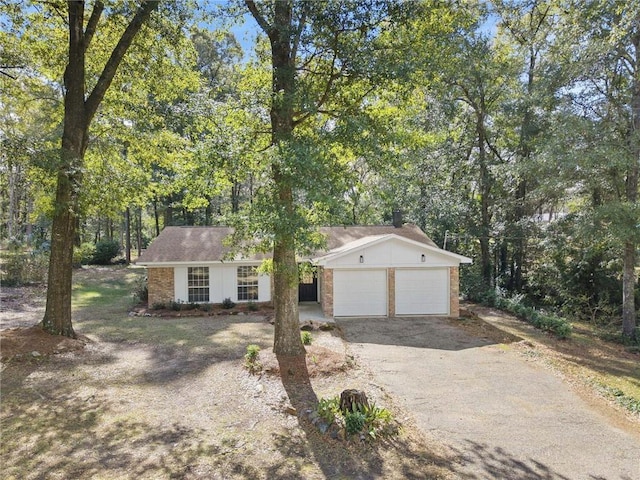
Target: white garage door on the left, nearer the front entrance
pixel 359 293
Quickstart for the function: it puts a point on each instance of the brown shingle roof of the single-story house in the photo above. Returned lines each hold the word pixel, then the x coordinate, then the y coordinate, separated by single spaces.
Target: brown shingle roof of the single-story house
pixel 206 244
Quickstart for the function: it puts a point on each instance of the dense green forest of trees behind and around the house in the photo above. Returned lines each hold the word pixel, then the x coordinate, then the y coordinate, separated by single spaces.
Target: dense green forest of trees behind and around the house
pixel 509 131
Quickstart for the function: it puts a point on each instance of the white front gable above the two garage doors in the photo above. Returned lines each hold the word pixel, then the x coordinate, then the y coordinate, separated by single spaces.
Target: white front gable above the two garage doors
pixel 389 251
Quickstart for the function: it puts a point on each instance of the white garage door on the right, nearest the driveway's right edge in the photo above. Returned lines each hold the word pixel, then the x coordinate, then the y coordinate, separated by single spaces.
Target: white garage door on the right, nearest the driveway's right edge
pixel 422 292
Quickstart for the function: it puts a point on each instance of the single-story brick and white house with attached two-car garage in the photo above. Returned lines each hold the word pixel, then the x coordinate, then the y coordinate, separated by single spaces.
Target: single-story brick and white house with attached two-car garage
pixel 382 270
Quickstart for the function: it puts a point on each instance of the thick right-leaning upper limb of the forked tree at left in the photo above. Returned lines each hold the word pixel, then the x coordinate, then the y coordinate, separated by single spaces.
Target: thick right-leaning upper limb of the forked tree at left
pixel 109 71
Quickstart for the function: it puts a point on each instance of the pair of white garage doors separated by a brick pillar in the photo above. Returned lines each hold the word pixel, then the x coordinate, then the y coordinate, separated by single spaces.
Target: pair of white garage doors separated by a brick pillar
pixel 362 293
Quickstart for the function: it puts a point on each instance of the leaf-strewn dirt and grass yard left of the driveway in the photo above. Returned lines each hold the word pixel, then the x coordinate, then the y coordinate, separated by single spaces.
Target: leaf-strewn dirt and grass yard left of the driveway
pixel 146 397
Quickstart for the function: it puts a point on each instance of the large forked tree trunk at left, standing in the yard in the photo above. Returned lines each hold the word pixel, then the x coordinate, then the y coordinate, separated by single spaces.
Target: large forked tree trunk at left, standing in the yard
pixel 80 107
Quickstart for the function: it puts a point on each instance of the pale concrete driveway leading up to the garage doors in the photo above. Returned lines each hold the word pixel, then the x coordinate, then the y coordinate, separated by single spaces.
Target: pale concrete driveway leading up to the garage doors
pixel 505 417
